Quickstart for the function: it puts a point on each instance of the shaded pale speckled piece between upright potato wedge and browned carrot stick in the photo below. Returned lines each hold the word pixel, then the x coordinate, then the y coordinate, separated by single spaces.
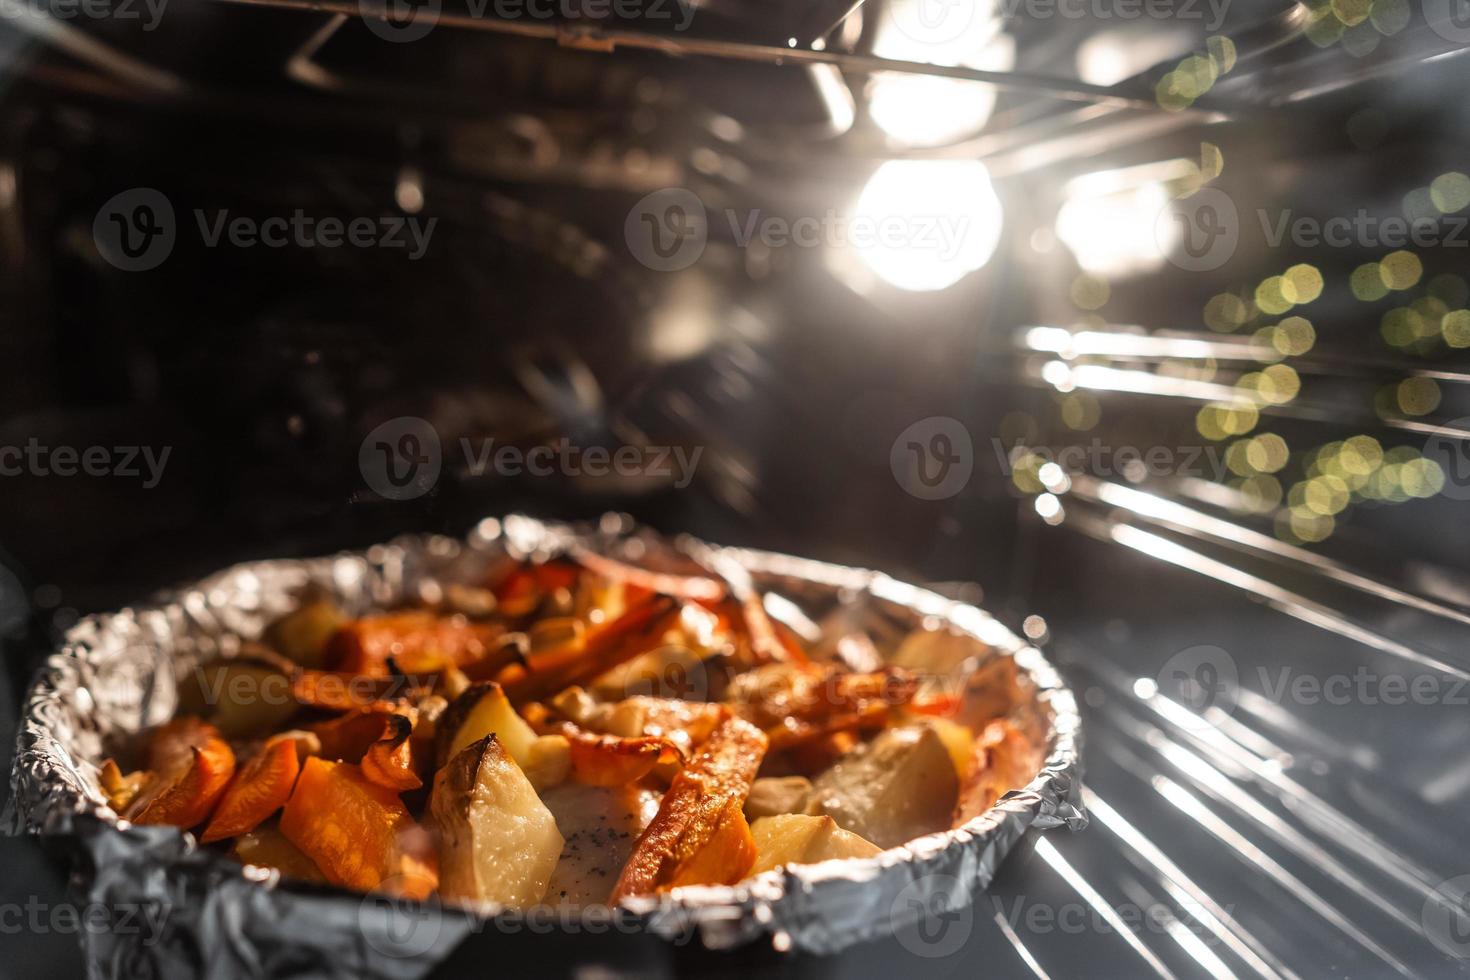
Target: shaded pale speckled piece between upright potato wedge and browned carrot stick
pixel 600 826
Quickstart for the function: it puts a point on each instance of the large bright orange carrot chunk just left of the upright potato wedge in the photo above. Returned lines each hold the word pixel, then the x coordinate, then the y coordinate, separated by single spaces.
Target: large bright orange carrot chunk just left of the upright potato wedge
pixel 356 832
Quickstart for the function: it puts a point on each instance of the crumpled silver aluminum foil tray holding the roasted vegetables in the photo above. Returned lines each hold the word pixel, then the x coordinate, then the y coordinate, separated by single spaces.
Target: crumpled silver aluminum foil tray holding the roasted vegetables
pixel 117 674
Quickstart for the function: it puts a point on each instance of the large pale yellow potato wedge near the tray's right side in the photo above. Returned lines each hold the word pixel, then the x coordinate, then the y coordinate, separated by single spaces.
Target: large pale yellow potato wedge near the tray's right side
pixel 893 790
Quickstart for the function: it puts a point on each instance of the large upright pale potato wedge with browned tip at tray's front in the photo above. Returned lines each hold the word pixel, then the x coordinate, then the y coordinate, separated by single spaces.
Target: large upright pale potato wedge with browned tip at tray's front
pixel 498 840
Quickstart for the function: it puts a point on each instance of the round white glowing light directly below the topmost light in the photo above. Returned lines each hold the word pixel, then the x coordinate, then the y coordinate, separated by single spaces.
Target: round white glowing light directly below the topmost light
pixel 946 215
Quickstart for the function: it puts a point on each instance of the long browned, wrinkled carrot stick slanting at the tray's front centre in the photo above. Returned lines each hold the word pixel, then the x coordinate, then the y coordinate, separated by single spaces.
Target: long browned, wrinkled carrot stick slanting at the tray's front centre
pixel 692 815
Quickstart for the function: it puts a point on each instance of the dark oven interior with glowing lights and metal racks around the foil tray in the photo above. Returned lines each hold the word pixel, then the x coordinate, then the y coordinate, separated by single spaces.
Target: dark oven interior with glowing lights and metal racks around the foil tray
pixel 1291 509
